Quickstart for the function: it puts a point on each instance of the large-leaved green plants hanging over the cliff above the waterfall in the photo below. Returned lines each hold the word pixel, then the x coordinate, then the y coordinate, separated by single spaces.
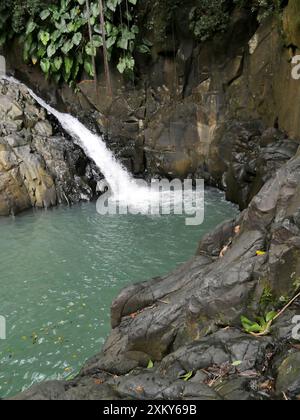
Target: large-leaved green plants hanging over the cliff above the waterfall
pixel 56 37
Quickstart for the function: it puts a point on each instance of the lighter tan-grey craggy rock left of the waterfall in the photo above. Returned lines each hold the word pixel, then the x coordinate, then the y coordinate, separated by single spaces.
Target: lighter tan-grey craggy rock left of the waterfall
pixel 38 166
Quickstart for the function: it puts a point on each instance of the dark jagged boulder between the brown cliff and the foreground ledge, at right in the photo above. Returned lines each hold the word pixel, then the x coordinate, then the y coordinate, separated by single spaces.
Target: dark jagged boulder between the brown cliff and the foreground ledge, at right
pixel 244 157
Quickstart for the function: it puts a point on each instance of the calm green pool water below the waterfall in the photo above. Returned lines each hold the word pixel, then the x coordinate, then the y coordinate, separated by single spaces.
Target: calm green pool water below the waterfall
pixel 61 269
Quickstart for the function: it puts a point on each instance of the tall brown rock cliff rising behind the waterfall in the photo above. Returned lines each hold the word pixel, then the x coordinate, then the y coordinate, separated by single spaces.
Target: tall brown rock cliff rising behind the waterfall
pixel 189 96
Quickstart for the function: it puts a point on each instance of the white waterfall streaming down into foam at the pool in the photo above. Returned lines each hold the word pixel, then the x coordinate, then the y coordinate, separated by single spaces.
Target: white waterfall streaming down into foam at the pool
pixel 124 189
